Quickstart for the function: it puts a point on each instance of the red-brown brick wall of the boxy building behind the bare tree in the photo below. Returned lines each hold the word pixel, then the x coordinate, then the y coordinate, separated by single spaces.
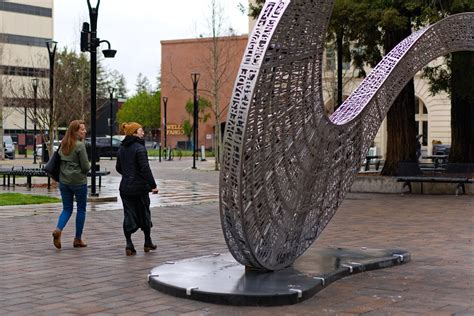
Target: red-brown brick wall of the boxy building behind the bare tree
pixel 180 58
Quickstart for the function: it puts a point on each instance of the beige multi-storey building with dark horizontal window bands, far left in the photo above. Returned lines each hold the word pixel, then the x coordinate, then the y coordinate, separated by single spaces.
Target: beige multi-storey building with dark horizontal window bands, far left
pixel 25 26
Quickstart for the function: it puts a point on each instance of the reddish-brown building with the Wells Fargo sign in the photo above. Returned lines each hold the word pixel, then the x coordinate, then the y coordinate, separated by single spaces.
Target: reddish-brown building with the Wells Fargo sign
pixel 217 62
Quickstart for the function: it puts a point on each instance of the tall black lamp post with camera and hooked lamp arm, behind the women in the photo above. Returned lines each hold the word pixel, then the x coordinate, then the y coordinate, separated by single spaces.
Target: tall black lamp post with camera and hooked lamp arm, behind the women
pixel 89 43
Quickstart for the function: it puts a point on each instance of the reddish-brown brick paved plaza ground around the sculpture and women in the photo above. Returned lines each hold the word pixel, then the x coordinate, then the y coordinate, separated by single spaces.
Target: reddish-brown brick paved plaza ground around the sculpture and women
pixel 37 279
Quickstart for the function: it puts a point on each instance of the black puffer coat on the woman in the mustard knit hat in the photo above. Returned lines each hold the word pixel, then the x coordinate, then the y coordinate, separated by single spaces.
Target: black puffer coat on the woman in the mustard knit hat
pixel 132 164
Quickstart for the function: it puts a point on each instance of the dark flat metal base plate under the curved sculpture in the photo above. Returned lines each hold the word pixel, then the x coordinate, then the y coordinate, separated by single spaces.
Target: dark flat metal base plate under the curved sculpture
pixel 219 279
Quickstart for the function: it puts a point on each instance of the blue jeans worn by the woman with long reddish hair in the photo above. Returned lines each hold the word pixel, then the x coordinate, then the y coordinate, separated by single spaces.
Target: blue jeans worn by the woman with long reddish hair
pixel 68 192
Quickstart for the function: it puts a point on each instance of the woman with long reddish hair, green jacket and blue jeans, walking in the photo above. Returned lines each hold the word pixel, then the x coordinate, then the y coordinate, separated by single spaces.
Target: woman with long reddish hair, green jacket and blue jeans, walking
pixel 73 181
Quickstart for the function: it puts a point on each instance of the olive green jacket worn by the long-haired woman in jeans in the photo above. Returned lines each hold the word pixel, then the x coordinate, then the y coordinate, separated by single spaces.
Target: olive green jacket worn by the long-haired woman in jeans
pixel 74 167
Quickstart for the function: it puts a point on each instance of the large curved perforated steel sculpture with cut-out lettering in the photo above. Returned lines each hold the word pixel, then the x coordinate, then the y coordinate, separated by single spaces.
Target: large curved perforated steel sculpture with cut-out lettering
pixel 286 165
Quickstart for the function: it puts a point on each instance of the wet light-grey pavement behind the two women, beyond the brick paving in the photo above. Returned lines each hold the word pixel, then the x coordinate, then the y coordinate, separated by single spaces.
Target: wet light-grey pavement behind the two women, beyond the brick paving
pixel 177 186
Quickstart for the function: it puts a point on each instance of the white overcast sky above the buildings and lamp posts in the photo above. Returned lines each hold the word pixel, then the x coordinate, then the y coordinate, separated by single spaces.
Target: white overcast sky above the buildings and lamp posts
pixel 135 28
